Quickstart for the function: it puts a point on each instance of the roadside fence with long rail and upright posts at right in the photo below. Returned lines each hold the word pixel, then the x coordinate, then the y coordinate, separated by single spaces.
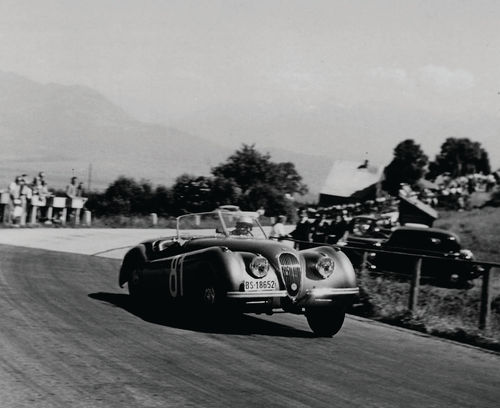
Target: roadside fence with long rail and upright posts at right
pixel 485 304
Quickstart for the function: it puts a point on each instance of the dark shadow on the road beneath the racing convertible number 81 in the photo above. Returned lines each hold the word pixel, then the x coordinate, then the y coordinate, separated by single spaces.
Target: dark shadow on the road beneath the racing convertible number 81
pixel 223 324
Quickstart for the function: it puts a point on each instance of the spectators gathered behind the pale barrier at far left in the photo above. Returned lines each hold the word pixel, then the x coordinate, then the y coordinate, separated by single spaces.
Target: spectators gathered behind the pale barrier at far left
pixel 23 195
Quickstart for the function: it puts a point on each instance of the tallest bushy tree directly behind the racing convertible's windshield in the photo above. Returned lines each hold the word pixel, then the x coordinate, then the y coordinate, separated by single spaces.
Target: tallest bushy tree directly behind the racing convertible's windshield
pixel 260 181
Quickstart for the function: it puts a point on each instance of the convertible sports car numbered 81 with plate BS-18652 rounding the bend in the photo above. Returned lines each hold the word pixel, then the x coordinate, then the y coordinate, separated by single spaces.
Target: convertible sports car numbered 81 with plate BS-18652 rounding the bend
pixel 223 259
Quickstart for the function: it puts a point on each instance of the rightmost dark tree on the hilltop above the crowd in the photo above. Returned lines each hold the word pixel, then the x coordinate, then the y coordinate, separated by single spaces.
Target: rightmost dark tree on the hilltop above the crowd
pixel 459 157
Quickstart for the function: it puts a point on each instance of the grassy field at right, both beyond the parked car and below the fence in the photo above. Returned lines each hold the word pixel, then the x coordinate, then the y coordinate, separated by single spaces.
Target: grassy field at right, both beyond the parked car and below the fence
pixel 452 313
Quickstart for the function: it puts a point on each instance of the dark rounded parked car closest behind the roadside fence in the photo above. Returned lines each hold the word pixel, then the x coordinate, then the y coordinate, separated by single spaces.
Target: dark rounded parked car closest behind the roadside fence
pixel 450 269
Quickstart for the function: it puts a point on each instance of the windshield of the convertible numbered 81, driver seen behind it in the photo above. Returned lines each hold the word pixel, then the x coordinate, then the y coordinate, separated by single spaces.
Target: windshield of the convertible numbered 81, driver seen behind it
pixel 220 224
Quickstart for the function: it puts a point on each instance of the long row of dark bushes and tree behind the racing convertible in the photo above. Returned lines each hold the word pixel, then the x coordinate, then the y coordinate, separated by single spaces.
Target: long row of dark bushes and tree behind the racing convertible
pixel 248 178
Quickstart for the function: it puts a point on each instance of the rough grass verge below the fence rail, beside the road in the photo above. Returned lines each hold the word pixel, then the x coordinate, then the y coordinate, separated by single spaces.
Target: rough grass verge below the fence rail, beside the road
pixel 444 312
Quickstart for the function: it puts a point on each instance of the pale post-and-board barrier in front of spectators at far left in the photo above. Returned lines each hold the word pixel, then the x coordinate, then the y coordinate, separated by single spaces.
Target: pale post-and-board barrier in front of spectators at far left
pixel 30 209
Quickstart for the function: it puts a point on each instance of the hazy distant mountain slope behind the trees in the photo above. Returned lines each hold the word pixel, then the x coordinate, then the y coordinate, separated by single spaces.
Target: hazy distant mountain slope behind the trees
pixel 63 129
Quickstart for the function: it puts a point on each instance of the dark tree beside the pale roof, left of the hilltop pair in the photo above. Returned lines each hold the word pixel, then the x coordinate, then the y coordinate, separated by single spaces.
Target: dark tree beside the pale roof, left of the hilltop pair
pixel 408 166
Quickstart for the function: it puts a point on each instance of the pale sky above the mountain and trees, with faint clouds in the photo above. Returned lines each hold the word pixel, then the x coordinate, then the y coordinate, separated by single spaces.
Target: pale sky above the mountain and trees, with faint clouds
pixel 338 78
